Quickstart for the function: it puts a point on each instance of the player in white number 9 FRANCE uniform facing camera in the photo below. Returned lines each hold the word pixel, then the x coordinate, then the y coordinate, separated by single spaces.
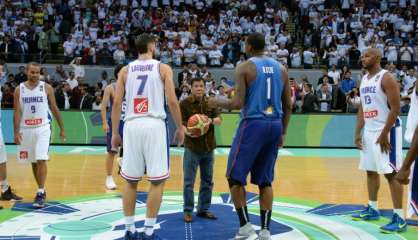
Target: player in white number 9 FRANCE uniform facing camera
pixel 33 100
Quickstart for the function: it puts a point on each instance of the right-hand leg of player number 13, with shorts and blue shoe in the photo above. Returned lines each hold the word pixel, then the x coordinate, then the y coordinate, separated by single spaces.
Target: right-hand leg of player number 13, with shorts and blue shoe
pixel 388 164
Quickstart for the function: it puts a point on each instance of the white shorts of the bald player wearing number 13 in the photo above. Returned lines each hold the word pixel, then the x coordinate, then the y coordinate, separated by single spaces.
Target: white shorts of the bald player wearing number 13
pixel 373 159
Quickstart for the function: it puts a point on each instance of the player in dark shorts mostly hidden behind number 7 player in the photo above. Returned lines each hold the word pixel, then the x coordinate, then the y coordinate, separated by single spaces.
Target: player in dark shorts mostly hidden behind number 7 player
pixel 107 124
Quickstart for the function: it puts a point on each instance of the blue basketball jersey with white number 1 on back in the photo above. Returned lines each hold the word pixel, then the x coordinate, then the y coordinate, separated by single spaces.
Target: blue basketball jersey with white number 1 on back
pixel 264 95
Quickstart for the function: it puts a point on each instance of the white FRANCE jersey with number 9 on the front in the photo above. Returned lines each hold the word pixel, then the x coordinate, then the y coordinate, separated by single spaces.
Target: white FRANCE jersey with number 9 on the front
pixel 34 106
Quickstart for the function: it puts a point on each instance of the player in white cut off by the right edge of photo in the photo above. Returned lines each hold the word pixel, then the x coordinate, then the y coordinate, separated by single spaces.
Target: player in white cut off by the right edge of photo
pixel 411 135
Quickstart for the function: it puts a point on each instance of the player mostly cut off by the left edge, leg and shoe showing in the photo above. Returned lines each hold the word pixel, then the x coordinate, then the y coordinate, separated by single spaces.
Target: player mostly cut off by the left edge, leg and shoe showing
pixel 6 191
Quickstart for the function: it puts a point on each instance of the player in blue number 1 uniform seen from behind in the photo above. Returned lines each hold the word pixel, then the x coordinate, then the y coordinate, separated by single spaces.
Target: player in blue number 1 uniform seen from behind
pixel 263 95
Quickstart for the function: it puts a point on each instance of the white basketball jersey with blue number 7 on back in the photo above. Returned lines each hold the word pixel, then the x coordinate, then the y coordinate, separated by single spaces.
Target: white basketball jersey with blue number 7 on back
pixel 144 89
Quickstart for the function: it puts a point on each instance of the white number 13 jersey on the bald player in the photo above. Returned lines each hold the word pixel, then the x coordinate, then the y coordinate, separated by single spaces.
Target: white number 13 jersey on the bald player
pixel 374 102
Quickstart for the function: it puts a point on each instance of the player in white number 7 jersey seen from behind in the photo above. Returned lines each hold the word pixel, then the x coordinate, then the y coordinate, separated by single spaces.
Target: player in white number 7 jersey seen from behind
pixel 145 83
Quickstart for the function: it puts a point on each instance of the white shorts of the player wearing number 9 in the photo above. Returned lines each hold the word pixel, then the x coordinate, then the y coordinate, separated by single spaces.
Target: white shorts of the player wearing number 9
pixel 35 144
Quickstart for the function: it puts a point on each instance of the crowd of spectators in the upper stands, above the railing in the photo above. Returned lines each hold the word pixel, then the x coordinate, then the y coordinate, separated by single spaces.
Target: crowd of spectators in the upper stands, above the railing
pixel 210 32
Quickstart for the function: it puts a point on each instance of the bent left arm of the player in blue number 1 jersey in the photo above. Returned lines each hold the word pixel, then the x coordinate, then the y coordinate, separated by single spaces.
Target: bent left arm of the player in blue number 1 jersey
pixel 238 100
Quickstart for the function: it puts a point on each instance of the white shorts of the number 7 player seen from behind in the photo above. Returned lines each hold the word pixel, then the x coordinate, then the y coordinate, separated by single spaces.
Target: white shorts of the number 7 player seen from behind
pixel 145 149
